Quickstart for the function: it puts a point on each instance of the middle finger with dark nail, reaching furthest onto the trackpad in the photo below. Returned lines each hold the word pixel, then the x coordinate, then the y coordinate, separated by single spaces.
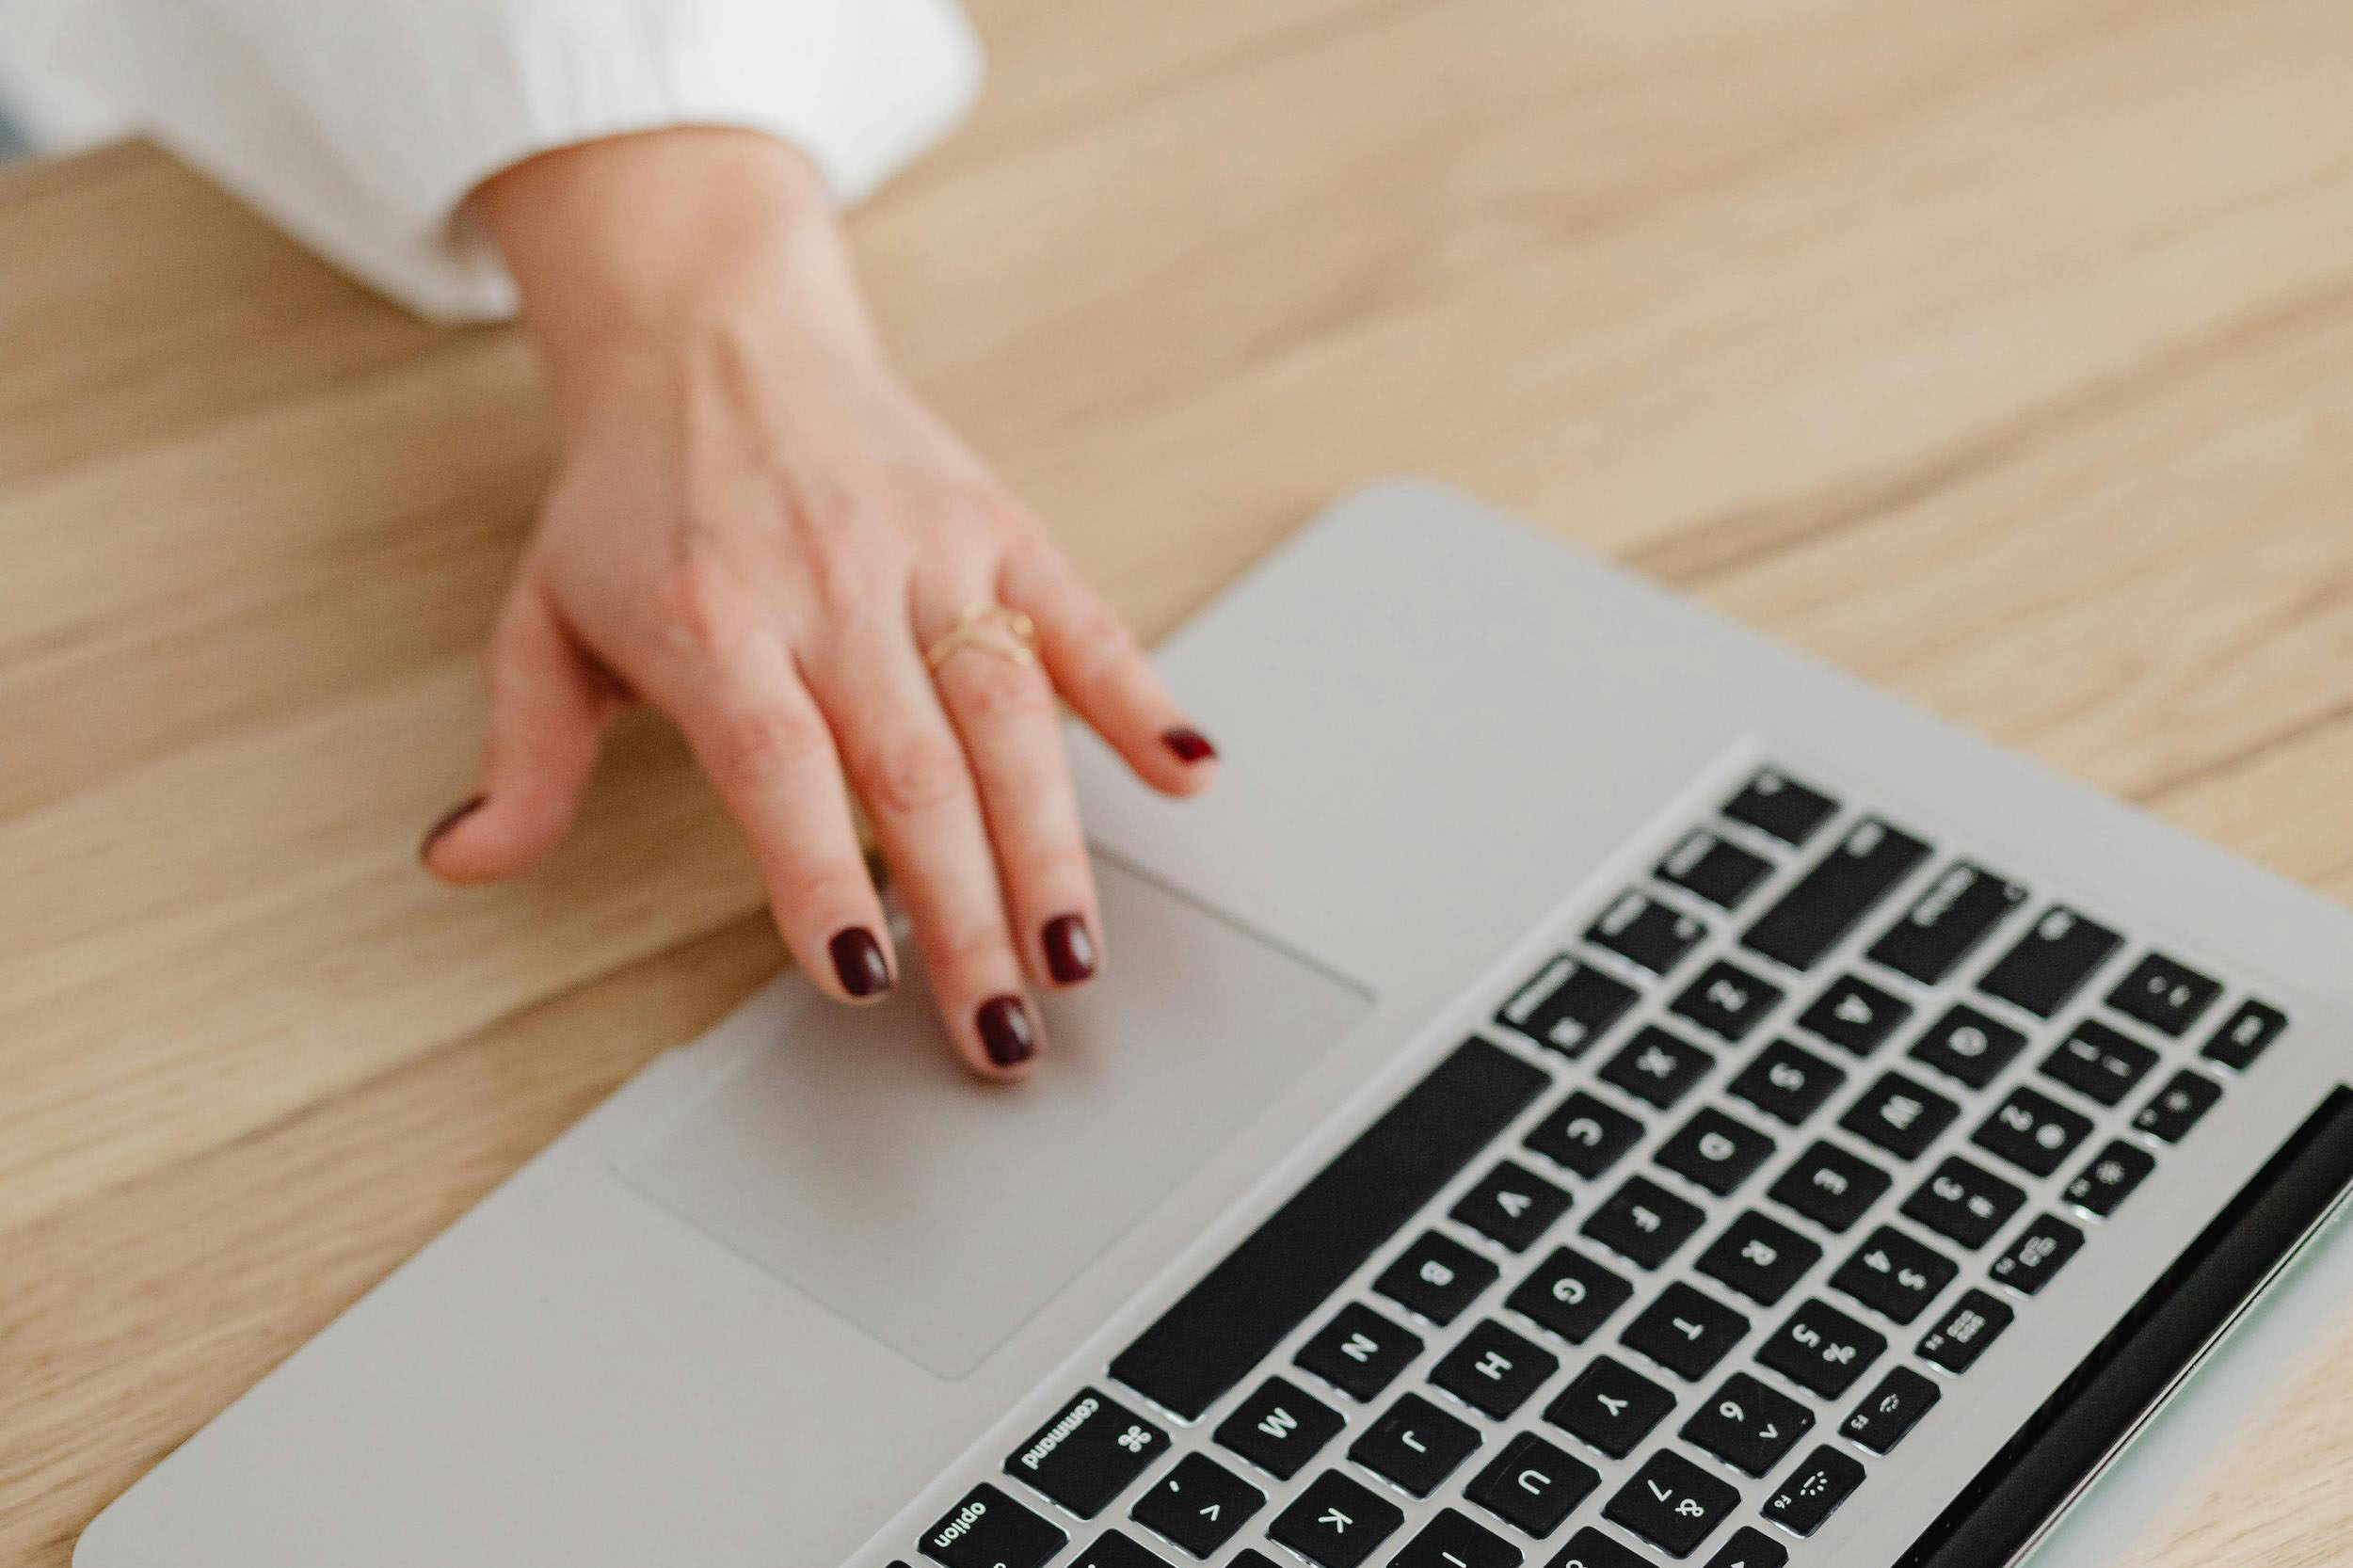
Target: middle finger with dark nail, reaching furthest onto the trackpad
pixel 916 783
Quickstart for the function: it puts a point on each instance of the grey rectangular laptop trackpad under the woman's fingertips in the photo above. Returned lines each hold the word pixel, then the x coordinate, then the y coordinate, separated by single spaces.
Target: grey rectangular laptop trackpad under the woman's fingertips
pixel 855 1160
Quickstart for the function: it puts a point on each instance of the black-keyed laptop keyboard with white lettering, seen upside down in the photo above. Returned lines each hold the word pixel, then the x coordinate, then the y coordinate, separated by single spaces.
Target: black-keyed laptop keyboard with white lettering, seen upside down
pixel 1615 1282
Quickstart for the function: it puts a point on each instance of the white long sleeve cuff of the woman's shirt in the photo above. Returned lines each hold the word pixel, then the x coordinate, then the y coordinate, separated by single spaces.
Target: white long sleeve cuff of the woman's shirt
pixel 361 126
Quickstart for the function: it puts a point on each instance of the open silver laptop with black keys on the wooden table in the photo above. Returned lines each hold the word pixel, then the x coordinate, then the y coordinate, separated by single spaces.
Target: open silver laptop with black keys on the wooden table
pixel 1589 1091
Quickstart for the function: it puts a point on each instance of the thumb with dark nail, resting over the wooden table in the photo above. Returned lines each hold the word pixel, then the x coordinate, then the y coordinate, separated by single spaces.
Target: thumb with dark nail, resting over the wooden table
pixel 547 717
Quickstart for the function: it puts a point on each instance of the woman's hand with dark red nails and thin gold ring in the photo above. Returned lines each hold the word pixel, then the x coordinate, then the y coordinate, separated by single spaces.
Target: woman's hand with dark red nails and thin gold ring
pixel 761 531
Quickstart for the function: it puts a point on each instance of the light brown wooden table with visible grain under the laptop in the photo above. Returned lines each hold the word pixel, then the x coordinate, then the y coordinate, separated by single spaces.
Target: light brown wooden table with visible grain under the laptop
pixel 1997 352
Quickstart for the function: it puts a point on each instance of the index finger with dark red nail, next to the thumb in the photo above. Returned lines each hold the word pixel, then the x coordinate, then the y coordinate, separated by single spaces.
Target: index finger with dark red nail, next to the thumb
pixel 768 752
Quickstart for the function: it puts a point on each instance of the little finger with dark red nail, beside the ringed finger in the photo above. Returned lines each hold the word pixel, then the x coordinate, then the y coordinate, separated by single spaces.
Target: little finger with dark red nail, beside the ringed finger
pixel 1105 675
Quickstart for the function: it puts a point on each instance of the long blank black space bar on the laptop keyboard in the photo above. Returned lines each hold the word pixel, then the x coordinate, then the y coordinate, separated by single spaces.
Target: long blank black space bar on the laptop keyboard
pixel 1307 1249
